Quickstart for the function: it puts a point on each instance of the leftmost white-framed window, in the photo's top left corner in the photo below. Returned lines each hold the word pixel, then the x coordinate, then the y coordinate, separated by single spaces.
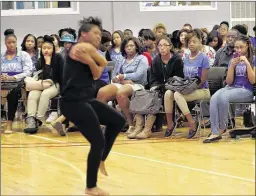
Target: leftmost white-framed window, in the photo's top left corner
pixel 15 8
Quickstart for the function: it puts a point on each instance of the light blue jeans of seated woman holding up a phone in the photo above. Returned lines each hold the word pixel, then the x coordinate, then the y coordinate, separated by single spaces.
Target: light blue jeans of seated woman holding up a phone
pixel 219 105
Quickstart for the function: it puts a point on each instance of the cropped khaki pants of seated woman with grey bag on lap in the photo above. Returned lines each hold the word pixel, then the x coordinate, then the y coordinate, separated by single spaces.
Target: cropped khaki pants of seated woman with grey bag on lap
pixel 182 100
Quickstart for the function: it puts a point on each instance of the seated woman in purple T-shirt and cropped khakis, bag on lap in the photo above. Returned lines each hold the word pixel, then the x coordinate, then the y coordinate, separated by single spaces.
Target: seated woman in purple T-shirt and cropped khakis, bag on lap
pixel 195 65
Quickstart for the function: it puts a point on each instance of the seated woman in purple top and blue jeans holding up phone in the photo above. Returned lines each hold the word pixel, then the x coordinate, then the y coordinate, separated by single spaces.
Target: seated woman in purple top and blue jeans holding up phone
pixel 239 88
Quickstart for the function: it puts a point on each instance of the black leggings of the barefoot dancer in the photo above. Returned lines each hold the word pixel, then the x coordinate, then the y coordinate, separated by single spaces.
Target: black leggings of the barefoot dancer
pixel 88 116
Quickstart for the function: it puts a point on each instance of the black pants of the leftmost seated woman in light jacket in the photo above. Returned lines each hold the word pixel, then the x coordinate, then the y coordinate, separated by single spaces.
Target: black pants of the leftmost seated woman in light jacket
pixel 13 99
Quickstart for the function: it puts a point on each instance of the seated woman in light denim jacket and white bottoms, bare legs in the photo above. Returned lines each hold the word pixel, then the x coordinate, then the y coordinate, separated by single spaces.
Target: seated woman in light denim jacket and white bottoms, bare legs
pixel 129 75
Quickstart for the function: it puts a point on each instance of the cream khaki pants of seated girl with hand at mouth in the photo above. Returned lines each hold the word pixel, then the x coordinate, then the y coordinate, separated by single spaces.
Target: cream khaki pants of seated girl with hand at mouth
pixel 38 101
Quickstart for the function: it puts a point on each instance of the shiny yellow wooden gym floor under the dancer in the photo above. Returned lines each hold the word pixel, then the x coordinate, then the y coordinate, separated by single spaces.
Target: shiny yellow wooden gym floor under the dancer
pixel 48 164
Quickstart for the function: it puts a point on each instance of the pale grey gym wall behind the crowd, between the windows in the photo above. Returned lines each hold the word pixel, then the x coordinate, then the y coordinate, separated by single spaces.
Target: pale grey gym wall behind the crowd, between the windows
pixel 115 15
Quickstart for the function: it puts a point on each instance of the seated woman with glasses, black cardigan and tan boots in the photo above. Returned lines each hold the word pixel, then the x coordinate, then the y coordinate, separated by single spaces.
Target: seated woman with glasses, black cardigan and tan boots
pixel 167 64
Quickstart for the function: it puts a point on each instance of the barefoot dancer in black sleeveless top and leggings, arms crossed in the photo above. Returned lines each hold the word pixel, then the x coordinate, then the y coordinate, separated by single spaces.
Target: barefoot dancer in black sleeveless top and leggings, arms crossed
pixel 84 65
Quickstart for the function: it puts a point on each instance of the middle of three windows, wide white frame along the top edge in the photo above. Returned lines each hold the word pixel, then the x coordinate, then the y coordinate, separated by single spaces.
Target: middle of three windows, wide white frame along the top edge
pixel 177 5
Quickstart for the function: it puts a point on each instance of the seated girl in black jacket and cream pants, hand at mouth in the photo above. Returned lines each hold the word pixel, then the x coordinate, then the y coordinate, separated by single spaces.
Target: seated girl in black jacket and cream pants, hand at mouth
pixel 45 86
